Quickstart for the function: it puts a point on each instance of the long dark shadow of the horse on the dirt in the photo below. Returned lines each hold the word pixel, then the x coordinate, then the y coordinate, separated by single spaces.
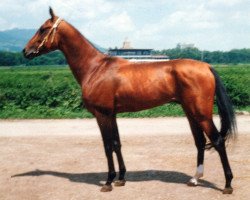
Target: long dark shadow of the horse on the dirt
pixel 95 178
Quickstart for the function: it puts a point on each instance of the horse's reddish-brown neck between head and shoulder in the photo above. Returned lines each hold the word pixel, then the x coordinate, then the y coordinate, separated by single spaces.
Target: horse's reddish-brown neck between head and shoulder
pixel 80 54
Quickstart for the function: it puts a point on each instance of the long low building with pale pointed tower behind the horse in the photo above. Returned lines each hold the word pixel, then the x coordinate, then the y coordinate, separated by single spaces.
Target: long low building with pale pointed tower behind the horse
pixel 135 54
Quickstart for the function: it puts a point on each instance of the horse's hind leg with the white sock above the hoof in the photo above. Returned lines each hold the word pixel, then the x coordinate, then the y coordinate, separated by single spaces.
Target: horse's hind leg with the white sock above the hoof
pixel 200 142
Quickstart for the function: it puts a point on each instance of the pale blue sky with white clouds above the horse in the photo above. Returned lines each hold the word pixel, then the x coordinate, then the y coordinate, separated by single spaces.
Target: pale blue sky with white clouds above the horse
pixel 158 24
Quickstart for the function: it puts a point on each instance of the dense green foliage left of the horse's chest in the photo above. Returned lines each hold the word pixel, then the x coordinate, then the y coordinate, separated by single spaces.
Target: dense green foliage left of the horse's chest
pixel 42 88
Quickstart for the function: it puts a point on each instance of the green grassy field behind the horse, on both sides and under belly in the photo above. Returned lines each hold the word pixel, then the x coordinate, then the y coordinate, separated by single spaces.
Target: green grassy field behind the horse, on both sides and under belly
pixel 52 92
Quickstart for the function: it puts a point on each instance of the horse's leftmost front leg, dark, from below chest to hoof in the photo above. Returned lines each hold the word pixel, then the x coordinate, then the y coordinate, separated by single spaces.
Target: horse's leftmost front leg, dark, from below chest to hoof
pixel 105 124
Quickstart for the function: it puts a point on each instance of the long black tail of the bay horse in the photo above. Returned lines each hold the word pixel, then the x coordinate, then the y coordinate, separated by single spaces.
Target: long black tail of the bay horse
pixel 225 108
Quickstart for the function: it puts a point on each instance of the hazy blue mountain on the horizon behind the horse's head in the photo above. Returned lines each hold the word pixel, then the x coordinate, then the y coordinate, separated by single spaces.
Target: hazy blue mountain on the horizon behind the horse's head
pixel 14 40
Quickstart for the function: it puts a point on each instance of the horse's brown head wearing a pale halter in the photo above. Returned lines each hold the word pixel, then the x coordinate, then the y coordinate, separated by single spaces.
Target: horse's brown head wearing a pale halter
pixel 45 39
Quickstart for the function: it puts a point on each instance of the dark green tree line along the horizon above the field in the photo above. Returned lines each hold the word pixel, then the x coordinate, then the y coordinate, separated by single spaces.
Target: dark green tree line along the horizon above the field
pixel 57 58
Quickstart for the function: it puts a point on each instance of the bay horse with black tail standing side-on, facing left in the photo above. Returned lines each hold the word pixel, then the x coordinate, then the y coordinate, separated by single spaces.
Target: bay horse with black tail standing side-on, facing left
pixel 112 85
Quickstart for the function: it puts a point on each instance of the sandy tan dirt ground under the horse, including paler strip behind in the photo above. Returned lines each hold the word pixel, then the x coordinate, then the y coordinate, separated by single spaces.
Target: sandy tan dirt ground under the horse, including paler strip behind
pixel 64 159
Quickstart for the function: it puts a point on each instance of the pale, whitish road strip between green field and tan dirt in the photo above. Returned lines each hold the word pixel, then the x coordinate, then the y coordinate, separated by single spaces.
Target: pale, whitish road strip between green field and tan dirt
pixel 88 127
